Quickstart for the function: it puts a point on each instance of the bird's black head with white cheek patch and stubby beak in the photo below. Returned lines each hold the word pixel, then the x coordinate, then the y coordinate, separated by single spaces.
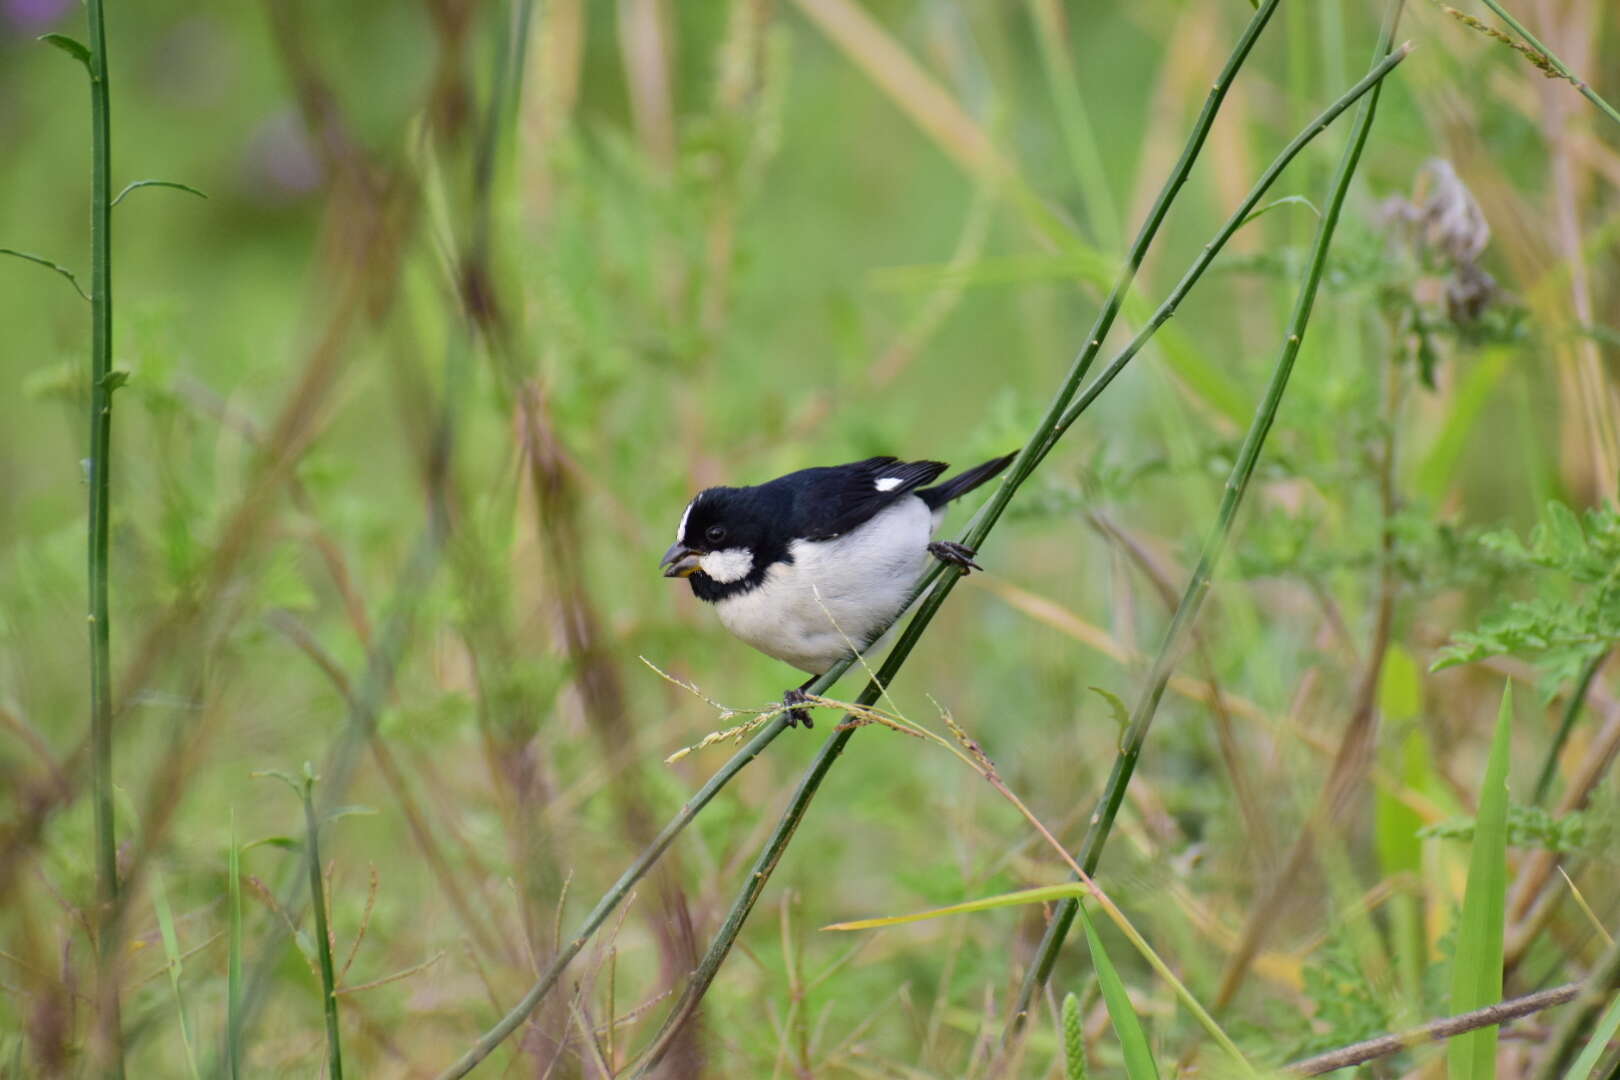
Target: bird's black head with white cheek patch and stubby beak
pixel 727 542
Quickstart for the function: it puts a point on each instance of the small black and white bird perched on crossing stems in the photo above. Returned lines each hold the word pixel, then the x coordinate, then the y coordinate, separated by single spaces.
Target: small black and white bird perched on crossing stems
pixel 809 564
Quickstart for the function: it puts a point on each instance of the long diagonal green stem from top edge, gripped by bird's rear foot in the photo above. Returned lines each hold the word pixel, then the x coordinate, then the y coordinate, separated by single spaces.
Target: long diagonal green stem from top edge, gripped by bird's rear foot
pixel 1026 462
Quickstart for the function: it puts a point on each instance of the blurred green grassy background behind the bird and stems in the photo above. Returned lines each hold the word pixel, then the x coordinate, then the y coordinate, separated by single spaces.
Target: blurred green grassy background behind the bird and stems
pixel 482 294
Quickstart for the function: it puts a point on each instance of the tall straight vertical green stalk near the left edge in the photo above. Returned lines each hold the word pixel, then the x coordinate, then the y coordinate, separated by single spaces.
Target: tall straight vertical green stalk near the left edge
pixel 100 496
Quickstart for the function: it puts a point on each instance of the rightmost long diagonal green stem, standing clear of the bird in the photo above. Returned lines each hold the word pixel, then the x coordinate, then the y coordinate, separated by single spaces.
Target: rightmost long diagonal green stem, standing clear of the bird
pixel 1200 585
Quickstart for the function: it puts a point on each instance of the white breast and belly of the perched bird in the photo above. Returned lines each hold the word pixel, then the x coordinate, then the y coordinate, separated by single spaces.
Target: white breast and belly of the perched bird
pixel 835 593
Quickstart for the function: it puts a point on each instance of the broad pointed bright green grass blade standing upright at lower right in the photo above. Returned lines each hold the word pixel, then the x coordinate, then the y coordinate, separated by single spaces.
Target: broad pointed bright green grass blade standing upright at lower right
pixel 1477 971
